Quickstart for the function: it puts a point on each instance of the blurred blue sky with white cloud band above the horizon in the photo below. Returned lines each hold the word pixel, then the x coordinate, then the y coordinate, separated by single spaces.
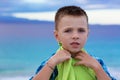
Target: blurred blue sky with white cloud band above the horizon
pixel 99 11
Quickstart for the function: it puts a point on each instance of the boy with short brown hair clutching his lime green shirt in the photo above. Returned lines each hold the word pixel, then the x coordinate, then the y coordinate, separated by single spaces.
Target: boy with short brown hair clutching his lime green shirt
pixel 71 61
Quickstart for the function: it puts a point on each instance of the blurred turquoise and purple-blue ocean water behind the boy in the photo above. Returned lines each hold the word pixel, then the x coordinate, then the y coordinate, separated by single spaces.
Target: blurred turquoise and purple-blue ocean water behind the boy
pixel 24 46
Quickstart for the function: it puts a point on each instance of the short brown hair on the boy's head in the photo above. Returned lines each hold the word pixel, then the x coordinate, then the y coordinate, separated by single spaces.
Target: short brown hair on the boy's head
pixel 69 10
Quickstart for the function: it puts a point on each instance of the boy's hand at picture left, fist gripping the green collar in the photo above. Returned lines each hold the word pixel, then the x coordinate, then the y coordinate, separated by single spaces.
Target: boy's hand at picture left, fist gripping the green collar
pixel 59 57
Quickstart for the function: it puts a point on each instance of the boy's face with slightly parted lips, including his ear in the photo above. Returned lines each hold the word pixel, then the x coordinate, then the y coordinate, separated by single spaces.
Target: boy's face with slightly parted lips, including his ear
pixel 72 32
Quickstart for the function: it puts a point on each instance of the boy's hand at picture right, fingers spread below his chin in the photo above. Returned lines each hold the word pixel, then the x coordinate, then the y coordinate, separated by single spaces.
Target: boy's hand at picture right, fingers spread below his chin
pixel 88 61
